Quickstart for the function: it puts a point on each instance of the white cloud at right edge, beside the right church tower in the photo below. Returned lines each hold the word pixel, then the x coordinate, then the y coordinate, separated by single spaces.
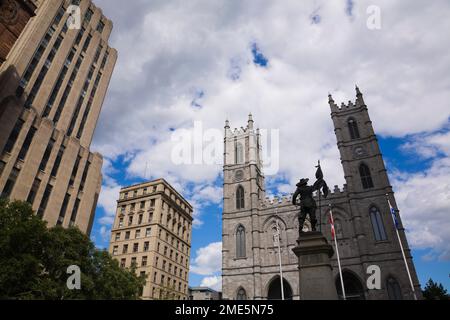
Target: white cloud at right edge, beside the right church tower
pixel 424 200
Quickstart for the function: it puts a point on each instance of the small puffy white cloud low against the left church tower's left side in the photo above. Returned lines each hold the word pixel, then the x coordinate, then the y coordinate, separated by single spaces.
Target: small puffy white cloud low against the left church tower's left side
pixel 208 259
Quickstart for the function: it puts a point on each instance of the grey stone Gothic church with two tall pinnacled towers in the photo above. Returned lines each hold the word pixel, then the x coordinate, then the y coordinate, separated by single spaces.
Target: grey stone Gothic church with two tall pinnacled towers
pixel 364 227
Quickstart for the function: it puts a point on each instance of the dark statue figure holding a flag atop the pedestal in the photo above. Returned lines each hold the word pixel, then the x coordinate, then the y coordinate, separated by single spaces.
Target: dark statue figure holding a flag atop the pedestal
pixel 307 203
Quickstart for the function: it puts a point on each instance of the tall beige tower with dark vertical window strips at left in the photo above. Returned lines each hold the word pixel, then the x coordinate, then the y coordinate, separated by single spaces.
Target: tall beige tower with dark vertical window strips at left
pixel 52 86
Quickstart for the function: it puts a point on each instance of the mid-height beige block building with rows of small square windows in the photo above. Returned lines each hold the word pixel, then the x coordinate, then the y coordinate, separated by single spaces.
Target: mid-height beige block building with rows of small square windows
pixel 152 231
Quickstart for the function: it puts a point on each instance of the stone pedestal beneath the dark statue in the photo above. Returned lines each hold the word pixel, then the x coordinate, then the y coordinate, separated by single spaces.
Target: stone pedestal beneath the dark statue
pixel 315 271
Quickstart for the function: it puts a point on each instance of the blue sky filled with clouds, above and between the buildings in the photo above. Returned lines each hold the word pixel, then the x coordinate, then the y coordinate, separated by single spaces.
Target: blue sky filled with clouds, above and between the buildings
pixel 187 62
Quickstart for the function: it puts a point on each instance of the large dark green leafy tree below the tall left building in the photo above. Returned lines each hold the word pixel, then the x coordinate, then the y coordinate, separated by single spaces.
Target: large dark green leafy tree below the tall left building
pixel 34 261
